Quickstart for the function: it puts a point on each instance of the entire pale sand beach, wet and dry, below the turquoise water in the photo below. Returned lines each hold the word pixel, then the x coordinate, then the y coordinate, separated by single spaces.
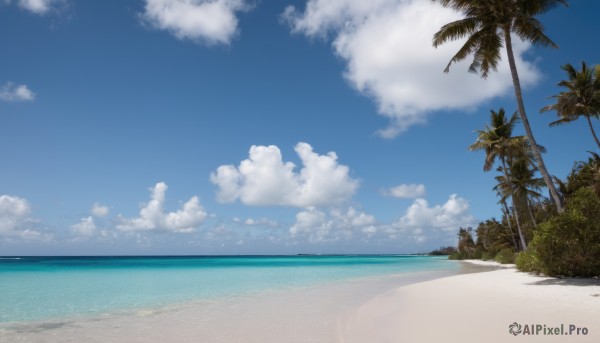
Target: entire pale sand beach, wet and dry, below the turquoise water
pixel 478 305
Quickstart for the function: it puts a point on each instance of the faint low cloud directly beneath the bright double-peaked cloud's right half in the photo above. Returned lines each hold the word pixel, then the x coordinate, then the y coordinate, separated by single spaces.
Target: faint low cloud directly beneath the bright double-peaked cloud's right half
pixel 320 226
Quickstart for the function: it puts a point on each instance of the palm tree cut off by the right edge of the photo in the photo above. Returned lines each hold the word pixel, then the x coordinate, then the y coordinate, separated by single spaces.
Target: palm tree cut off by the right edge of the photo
pixel 582 97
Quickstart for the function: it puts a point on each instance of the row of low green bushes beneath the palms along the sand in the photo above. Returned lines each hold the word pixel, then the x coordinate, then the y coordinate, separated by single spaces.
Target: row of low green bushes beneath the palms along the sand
pixel 563 244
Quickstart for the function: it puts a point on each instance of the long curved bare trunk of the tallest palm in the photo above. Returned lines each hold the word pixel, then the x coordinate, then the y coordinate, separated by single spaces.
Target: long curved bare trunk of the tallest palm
pixel 534 147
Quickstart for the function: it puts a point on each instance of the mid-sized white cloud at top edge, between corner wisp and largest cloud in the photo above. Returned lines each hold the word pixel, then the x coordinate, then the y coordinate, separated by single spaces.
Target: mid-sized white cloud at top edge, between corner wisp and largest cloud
pixel 207 21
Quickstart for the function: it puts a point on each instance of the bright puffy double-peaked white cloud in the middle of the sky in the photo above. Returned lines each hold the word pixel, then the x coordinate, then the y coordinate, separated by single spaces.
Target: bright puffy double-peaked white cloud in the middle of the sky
pixel 264 179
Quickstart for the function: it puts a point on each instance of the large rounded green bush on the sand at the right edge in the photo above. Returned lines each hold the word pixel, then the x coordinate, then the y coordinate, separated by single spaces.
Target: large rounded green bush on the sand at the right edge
pixel 569 243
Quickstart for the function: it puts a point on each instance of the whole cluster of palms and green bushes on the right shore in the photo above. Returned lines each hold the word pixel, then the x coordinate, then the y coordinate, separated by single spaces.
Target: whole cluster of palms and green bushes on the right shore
pixel 559 235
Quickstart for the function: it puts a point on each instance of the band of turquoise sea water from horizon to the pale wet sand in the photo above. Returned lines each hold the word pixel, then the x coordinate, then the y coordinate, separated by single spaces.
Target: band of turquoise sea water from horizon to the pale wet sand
pixel 37 288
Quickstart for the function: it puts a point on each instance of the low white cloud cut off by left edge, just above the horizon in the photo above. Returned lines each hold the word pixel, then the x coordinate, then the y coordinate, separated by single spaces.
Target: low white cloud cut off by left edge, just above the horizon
pixel 15 219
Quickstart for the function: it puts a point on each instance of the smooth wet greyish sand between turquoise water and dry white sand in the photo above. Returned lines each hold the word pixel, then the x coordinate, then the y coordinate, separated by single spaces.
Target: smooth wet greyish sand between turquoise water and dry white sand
pixel 287 316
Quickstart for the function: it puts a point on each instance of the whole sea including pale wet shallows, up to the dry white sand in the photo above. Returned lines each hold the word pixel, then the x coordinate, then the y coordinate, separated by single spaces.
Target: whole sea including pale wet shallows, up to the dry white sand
pixel 199 299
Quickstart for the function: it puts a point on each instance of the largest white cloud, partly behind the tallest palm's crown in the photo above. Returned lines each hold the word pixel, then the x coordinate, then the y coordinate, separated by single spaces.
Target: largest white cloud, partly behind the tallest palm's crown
pixel 386 45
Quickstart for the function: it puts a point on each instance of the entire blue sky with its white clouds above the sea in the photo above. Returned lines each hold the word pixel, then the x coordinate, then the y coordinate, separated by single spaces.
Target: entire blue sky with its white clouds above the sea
pixel 204 127
